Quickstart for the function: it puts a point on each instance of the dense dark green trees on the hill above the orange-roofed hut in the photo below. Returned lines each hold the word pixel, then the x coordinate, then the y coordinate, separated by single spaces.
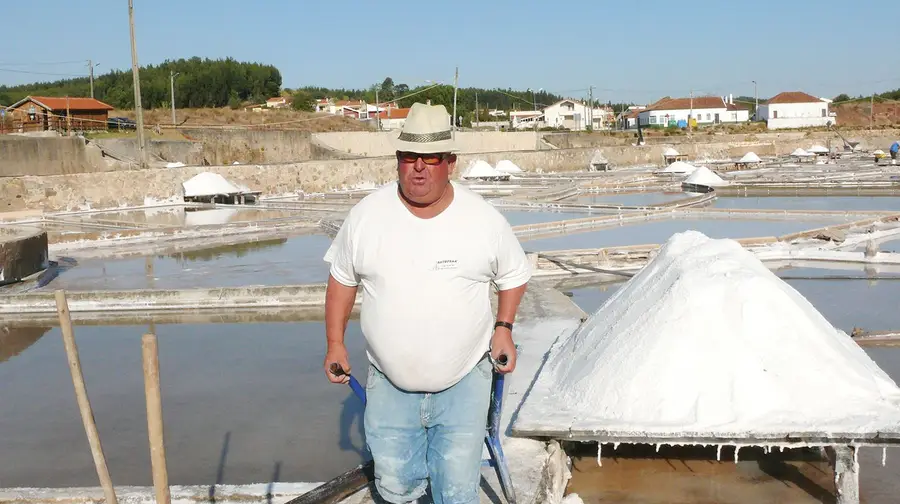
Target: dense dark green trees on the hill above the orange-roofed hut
pixel 200 83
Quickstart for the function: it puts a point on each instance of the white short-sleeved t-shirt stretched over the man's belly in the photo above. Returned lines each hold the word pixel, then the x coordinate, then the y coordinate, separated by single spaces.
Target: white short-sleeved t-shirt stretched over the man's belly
pixel 426 312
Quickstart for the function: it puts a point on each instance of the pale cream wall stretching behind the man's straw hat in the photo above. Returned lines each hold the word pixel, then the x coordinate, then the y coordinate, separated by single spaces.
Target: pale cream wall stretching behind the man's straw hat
pixel 374 143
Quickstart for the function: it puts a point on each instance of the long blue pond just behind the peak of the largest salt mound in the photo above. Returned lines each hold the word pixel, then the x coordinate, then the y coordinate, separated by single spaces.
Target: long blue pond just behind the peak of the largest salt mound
pixel 658 231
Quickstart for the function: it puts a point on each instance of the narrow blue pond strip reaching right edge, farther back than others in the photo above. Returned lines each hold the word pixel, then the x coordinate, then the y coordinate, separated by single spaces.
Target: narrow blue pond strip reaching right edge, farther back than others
pixel 885 203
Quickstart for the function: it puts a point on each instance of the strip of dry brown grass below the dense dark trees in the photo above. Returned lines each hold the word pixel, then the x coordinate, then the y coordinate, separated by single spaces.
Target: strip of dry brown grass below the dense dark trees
pixel 279 118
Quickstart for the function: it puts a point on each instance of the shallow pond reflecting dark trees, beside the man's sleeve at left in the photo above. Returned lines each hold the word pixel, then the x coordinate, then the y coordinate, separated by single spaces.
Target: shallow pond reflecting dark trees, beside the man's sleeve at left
pixel 280 261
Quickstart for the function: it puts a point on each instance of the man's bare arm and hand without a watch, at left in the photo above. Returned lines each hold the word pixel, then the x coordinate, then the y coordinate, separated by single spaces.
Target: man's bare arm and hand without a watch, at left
pixel 339 300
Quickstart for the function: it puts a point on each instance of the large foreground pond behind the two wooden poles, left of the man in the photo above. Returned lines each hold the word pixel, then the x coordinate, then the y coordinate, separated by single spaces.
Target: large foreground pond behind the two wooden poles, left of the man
pixel 251 395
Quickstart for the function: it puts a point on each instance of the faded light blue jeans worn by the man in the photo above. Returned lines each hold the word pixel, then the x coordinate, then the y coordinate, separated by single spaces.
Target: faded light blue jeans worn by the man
pixel 414 437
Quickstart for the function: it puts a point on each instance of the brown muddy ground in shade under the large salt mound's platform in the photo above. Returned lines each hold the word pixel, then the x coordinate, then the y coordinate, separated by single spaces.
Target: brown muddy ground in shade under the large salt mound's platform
pixel 637 474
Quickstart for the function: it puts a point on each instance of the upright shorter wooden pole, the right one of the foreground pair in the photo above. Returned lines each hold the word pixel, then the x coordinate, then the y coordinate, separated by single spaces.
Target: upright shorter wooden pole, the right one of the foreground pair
pixel 150 351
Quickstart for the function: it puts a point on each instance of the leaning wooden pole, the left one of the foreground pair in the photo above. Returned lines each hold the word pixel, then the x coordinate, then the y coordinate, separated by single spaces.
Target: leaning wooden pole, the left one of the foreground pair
pixel 84 405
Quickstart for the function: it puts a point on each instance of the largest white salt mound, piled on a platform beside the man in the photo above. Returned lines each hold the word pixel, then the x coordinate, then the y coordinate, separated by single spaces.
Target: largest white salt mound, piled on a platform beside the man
pixel 706 342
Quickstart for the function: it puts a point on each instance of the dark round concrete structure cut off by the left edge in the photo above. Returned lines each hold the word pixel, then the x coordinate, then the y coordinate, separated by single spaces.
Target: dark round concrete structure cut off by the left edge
pixel 23 252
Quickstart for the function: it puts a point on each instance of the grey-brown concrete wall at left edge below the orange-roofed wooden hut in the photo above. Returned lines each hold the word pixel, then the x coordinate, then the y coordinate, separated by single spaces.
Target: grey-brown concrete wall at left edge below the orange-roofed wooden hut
pixel 21 155
